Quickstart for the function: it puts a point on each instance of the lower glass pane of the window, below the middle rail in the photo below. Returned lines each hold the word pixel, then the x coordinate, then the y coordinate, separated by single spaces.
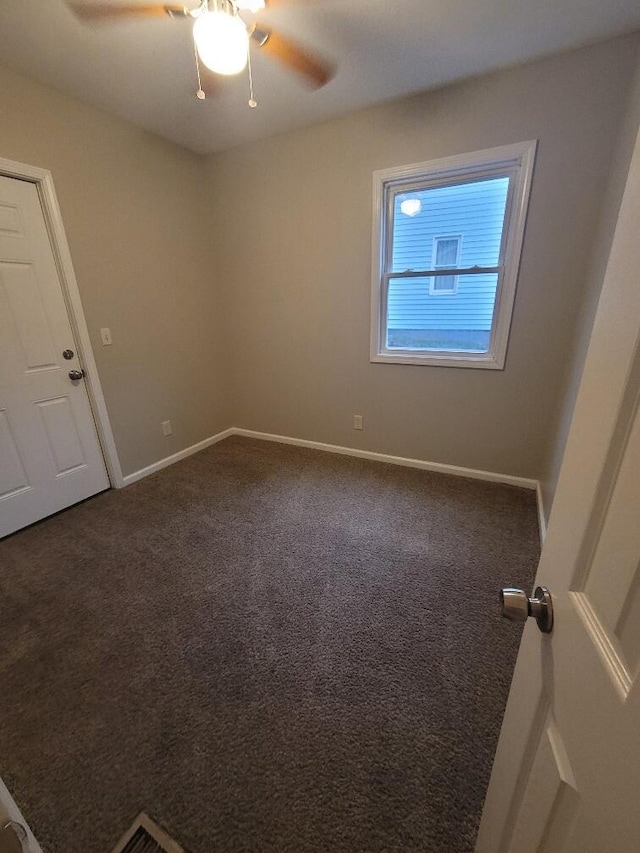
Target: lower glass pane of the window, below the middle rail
pixel 461 321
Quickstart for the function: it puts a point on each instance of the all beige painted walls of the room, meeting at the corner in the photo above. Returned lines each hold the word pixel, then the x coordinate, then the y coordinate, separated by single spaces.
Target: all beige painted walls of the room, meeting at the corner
pixel 237 287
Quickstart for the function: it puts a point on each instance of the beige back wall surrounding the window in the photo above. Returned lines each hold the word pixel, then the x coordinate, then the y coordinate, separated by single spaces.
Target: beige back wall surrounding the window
pixel 292 218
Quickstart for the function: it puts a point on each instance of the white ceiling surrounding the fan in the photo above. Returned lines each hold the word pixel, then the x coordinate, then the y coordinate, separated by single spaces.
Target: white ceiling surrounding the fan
pixel 143 70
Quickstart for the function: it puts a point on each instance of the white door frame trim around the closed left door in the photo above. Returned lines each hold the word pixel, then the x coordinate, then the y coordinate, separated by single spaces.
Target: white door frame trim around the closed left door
pixel 43 181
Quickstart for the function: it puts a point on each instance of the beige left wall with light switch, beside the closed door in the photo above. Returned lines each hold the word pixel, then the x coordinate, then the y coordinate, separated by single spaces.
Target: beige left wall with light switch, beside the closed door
pixel 133 207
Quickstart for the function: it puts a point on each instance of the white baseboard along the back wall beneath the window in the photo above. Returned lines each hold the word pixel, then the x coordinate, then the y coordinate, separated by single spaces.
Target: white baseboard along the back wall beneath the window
pixel 455 470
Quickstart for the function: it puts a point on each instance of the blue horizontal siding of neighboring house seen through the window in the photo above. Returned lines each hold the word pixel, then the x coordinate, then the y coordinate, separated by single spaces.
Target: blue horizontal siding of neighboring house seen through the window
pixel 476 212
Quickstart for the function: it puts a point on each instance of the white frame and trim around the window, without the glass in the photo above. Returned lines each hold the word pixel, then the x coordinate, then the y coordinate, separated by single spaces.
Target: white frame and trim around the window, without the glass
pixel 515 160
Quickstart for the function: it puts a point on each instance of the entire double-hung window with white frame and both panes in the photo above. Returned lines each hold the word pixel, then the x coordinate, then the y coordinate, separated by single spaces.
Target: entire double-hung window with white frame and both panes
pixel 447 241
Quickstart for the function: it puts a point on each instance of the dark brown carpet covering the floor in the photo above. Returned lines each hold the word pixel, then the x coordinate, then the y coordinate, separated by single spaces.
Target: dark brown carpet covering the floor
pixel 265 648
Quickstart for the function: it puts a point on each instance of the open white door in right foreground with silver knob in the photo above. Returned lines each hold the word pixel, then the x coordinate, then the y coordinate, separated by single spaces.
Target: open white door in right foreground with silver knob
pixel 566 777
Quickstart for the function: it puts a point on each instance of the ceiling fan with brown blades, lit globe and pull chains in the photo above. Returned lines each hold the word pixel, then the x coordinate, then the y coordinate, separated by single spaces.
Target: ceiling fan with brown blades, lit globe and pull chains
pixel 222 37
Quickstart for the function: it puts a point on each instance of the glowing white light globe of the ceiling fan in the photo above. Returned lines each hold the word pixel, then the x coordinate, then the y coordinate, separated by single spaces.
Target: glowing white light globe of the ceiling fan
pixel 222 42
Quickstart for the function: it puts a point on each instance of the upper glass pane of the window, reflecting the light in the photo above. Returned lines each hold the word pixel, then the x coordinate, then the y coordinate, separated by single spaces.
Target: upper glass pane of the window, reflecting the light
pixel 474 210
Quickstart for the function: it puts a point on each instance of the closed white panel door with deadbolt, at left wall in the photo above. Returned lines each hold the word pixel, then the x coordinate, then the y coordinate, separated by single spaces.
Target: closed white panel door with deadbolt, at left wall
pixel 50 456
